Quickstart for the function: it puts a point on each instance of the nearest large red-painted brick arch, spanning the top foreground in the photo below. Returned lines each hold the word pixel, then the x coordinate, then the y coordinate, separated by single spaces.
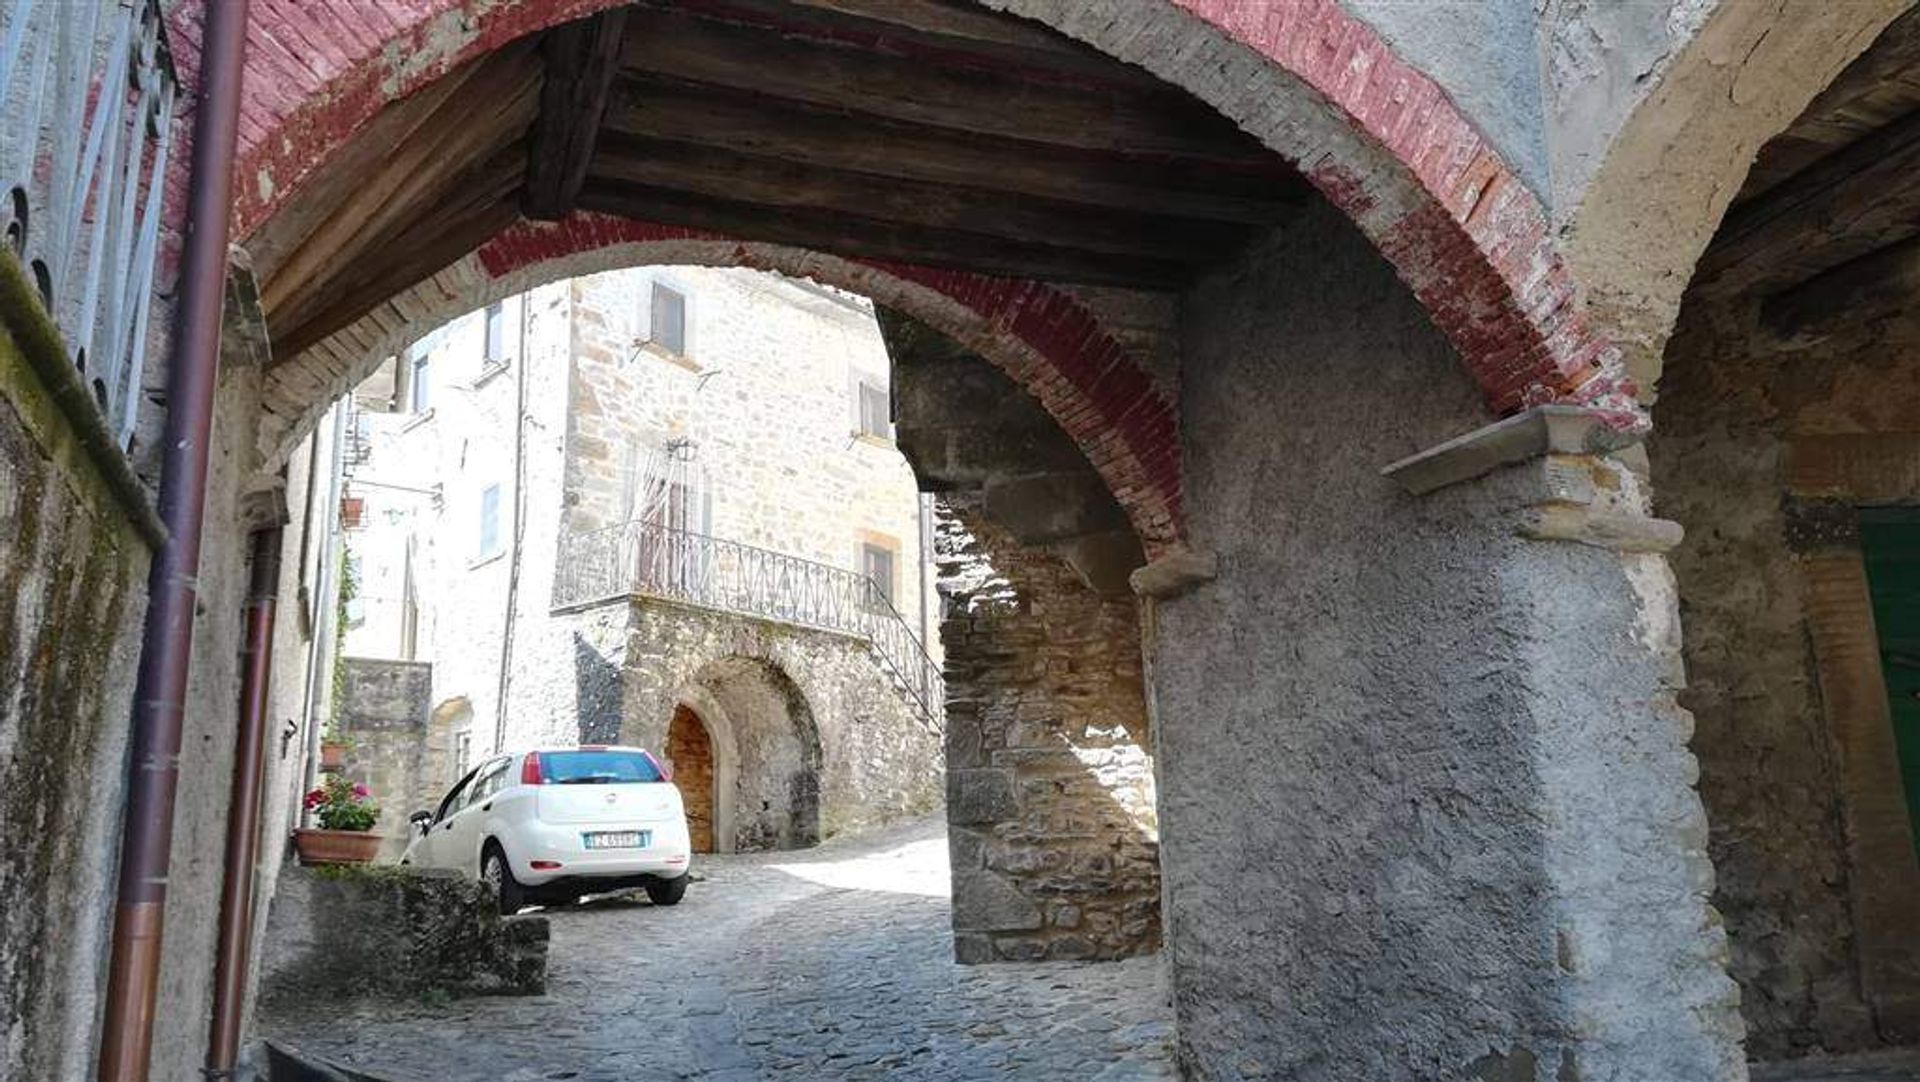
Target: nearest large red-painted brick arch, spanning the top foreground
pixel 1376 135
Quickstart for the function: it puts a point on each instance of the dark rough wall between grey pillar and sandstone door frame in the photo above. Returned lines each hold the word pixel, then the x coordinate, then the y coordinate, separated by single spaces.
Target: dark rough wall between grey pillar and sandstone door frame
pixel 1731 412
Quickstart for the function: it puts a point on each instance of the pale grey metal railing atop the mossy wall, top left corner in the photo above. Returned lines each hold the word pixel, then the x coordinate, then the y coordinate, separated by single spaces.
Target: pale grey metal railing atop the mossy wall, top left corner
pixel 85 131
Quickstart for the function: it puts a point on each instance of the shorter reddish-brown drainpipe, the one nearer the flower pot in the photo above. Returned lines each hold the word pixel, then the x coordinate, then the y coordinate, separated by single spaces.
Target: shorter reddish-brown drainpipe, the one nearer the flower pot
pixel 243 816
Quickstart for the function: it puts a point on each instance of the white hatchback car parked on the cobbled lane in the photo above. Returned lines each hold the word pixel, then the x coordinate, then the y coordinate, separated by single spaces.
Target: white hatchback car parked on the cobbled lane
pixel 550 826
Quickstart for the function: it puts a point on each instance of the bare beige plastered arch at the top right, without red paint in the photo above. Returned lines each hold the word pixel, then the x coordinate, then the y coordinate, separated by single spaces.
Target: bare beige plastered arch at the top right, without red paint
pixel 1683 154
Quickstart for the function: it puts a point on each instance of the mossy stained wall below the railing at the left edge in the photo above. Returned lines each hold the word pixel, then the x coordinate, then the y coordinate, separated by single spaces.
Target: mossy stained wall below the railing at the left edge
pixel 72 607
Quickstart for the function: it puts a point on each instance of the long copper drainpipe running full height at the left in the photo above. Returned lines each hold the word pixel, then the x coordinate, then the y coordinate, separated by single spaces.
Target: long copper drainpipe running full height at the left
pixel 166 651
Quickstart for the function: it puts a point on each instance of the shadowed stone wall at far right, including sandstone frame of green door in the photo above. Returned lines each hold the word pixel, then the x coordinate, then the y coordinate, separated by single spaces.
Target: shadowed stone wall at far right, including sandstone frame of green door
pixel 1764 450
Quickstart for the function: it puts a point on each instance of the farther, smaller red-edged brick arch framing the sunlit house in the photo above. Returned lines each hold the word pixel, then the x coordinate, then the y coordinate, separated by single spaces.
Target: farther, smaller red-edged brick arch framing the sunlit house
pixel 1042 337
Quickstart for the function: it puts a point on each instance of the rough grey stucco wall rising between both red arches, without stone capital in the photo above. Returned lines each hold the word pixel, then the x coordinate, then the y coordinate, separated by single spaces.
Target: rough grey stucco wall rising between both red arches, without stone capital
pixel 1426 801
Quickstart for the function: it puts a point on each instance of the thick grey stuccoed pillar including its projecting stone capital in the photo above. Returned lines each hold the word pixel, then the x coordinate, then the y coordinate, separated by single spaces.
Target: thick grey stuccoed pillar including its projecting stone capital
pixel 1462 837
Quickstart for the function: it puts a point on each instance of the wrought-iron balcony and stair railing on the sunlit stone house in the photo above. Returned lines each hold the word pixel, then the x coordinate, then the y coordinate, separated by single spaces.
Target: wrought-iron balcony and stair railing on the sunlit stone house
pixel 677 565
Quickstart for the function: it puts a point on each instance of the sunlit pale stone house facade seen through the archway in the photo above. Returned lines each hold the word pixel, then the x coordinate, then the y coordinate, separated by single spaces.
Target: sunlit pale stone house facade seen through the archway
pixel 673 412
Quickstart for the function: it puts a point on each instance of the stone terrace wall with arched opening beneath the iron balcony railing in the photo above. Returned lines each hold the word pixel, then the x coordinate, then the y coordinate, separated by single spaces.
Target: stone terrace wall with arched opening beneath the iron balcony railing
pixel 811 736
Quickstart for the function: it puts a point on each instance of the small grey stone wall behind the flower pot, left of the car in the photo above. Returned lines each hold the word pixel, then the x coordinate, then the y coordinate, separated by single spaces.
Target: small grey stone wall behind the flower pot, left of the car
pixel 395 747
